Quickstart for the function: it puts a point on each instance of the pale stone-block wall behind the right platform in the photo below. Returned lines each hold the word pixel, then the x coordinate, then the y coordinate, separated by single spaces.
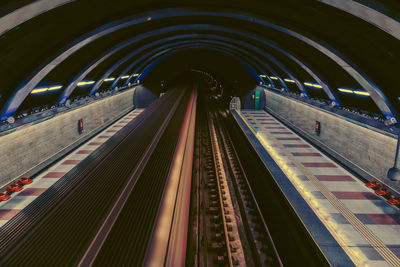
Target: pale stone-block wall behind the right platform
pixel 370 150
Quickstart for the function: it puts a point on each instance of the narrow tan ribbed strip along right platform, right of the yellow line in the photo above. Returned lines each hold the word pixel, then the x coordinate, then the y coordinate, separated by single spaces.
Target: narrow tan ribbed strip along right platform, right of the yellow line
pixel 379 246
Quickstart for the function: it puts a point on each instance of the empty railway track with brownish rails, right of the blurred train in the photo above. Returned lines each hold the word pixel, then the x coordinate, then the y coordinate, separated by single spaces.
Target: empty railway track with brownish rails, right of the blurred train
pixel 229 228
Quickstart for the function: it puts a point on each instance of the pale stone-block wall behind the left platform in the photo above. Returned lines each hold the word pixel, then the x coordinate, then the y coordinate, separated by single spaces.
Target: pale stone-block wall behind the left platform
pixel 27 149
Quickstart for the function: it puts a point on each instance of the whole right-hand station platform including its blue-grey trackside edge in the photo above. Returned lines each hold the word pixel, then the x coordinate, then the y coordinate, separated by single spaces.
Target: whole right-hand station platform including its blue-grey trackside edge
pixel 347 220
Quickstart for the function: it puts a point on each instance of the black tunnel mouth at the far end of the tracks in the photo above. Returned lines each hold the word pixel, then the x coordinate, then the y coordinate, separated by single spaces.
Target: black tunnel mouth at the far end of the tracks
pixel 225 75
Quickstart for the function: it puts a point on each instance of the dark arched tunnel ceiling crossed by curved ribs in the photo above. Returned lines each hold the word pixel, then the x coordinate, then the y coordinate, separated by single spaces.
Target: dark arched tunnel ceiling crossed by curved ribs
pixel 301 40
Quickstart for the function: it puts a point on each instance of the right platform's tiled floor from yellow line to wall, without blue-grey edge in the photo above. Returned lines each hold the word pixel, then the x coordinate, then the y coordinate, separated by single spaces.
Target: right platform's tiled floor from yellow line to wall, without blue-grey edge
pixel 366 227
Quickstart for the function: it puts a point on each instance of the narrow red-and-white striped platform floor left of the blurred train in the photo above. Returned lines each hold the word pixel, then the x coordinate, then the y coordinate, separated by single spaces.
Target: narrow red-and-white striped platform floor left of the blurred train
pixel 41 182
